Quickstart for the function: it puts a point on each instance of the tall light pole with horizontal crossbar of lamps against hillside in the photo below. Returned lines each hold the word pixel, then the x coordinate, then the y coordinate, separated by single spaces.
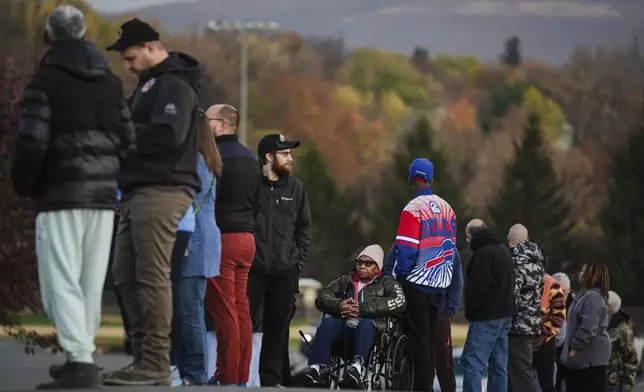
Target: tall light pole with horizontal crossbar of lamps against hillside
pixel 242 28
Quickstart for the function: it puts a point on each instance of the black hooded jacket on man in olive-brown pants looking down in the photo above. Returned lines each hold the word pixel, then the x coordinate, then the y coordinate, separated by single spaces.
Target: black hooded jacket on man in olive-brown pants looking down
pixel 164 112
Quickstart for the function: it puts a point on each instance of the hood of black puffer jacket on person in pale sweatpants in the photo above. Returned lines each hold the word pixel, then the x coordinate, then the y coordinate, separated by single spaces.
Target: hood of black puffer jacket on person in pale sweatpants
pixel 78 57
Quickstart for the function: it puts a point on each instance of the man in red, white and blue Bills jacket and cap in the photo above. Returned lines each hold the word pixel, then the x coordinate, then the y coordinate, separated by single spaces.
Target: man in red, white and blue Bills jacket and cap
pixel 423 262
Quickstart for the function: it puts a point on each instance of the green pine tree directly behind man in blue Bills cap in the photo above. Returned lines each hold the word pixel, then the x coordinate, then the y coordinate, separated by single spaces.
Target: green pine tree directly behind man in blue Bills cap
pixel 395 193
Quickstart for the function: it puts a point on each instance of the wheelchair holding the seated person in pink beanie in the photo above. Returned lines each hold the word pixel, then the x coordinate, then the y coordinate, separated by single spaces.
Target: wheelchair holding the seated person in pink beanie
pixel 390 366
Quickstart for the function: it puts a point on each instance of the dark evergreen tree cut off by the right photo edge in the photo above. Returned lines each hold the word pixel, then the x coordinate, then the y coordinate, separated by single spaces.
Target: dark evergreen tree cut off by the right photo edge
pixel 622 220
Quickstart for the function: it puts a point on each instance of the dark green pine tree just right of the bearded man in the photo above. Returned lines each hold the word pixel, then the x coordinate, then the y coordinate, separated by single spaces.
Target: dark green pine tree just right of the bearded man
pixel 335 235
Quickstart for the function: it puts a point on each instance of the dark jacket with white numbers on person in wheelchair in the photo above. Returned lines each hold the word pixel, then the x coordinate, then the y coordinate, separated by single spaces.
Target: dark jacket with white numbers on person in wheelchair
pixel 381 298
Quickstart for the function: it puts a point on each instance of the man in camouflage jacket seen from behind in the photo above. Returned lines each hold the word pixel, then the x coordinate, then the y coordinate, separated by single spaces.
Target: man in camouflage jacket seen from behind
pixel 529 274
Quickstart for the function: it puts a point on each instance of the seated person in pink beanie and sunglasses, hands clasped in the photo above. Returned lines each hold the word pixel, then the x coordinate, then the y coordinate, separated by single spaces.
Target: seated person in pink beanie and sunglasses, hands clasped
pixel 356 308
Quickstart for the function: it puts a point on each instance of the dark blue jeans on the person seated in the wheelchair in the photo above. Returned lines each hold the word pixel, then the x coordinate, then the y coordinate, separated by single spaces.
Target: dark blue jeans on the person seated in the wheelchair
pixel 335 331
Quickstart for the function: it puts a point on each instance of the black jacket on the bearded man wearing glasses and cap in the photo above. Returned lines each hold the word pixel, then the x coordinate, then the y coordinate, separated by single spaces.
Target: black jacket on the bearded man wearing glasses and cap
pixel 282 226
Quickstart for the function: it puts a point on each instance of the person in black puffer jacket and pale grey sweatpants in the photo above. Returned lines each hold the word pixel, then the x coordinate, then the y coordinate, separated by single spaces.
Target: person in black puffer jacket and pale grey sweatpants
pixel 75 132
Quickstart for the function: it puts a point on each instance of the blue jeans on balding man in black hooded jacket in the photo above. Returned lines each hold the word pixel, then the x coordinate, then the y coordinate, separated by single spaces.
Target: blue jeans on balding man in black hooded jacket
pixel 486 344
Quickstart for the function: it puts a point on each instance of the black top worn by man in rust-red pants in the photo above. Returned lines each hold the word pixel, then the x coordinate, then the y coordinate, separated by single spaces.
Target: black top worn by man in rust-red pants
pixel 237 188
